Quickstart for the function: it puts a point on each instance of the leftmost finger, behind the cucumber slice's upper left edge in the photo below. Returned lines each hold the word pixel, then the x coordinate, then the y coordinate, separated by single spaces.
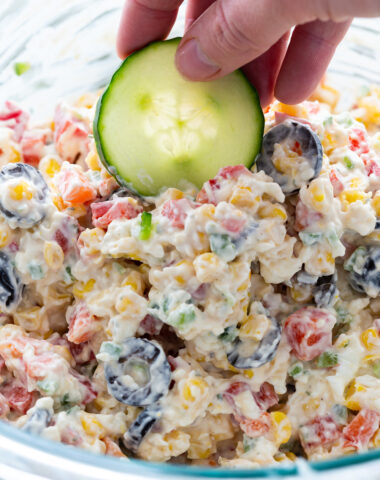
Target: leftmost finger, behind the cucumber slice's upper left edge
pixel 144 21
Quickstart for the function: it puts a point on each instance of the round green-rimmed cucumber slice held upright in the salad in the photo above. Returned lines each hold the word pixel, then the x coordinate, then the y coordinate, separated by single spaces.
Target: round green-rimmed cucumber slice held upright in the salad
pixel 153 129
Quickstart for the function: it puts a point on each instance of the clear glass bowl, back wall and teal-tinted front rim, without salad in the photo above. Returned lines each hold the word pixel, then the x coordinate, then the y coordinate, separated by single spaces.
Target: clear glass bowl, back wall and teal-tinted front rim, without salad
pixel 70 47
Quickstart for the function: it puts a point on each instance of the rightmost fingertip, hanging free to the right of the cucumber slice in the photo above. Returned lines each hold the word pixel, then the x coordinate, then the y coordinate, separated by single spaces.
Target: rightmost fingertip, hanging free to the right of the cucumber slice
pixel 309 53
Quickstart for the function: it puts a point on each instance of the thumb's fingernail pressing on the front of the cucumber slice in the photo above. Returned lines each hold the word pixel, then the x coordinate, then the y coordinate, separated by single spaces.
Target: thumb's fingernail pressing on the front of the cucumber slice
pixel 193 63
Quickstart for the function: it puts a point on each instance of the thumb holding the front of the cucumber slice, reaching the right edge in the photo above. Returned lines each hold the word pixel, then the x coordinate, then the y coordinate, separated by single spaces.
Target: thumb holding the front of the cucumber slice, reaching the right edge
pixel 231 33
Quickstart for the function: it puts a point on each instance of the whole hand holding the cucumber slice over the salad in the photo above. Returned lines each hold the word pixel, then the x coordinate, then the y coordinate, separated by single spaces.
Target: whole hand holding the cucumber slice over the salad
pixel 223 35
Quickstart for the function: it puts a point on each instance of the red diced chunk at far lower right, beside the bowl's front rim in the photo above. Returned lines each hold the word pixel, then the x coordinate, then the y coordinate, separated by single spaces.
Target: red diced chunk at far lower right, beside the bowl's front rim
pixel 360 431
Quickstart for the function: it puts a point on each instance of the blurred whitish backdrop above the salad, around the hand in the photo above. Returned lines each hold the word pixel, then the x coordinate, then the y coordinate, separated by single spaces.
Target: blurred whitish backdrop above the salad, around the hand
pixel 67 47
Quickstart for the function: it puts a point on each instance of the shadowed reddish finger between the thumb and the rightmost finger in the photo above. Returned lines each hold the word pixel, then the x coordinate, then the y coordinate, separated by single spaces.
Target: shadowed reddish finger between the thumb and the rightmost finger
pixel 263 71
